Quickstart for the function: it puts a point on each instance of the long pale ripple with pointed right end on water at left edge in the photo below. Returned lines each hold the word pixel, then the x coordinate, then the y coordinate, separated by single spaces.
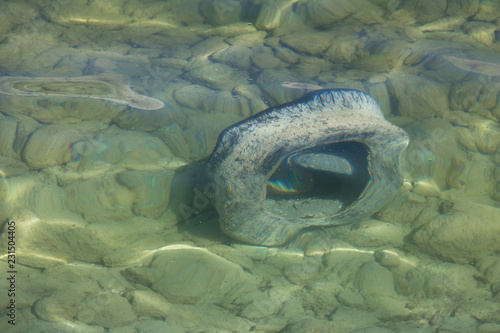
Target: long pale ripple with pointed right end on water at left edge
pixel 102 87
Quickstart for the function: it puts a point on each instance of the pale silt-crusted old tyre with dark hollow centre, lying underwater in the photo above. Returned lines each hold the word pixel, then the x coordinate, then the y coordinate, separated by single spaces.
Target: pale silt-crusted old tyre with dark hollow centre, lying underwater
pixel 286 149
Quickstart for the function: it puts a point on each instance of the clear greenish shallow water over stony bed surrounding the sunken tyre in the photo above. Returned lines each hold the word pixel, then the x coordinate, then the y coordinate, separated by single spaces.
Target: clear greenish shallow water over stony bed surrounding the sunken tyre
pixel 102 201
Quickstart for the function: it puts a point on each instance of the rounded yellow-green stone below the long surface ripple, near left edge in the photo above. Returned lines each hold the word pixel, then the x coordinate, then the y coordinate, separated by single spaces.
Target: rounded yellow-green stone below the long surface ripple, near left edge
pixel 50 145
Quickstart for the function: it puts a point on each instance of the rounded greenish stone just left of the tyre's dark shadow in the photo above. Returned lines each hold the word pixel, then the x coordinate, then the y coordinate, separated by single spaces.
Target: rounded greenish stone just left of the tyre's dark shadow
pixel 151 189
